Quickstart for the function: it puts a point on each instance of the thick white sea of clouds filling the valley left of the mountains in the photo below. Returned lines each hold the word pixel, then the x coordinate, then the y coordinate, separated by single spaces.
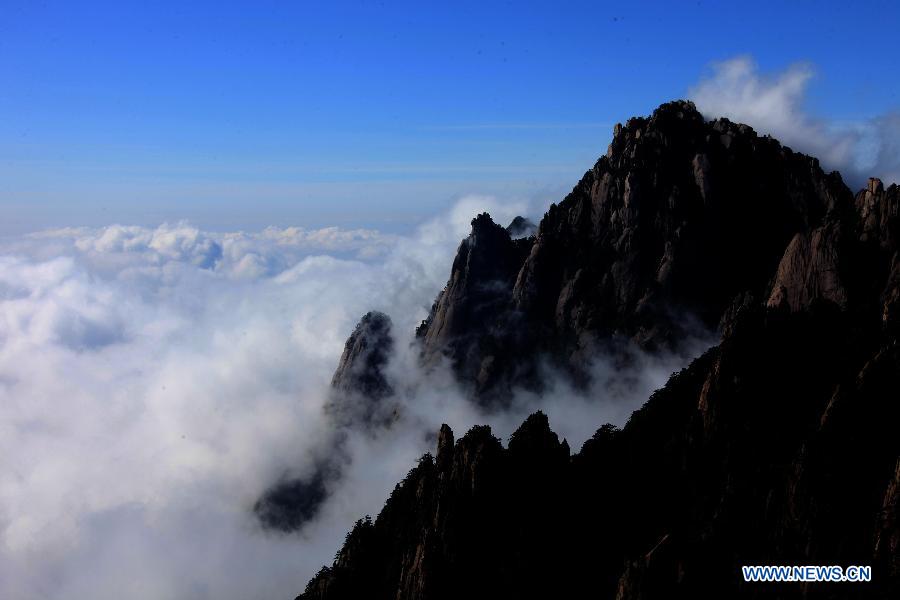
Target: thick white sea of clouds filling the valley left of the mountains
pixel 153 382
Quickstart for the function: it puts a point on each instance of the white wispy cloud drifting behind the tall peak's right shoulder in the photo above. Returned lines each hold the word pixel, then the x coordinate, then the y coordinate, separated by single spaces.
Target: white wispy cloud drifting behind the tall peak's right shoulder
pixel 775 104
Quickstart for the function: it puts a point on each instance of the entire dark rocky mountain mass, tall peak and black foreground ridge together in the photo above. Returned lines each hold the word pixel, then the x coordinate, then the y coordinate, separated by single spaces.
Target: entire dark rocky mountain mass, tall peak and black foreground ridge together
pixel 777 446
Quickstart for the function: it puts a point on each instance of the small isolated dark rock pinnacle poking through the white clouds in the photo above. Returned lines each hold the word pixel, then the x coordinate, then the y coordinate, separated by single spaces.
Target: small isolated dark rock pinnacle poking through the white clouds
pixel 359 401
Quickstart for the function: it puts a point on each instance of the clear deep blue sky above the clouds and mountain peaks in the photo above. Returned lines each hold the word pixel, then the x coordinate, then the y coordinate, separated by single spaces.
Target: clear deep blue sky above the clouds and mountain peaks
pixel 239 115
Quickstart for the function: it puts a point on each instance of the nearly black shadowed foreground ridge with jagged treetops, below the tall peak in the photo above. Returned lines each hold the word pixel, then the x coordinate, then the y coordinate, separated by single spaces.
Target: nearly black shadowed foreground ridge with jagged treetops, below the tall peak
pixel 776 447
